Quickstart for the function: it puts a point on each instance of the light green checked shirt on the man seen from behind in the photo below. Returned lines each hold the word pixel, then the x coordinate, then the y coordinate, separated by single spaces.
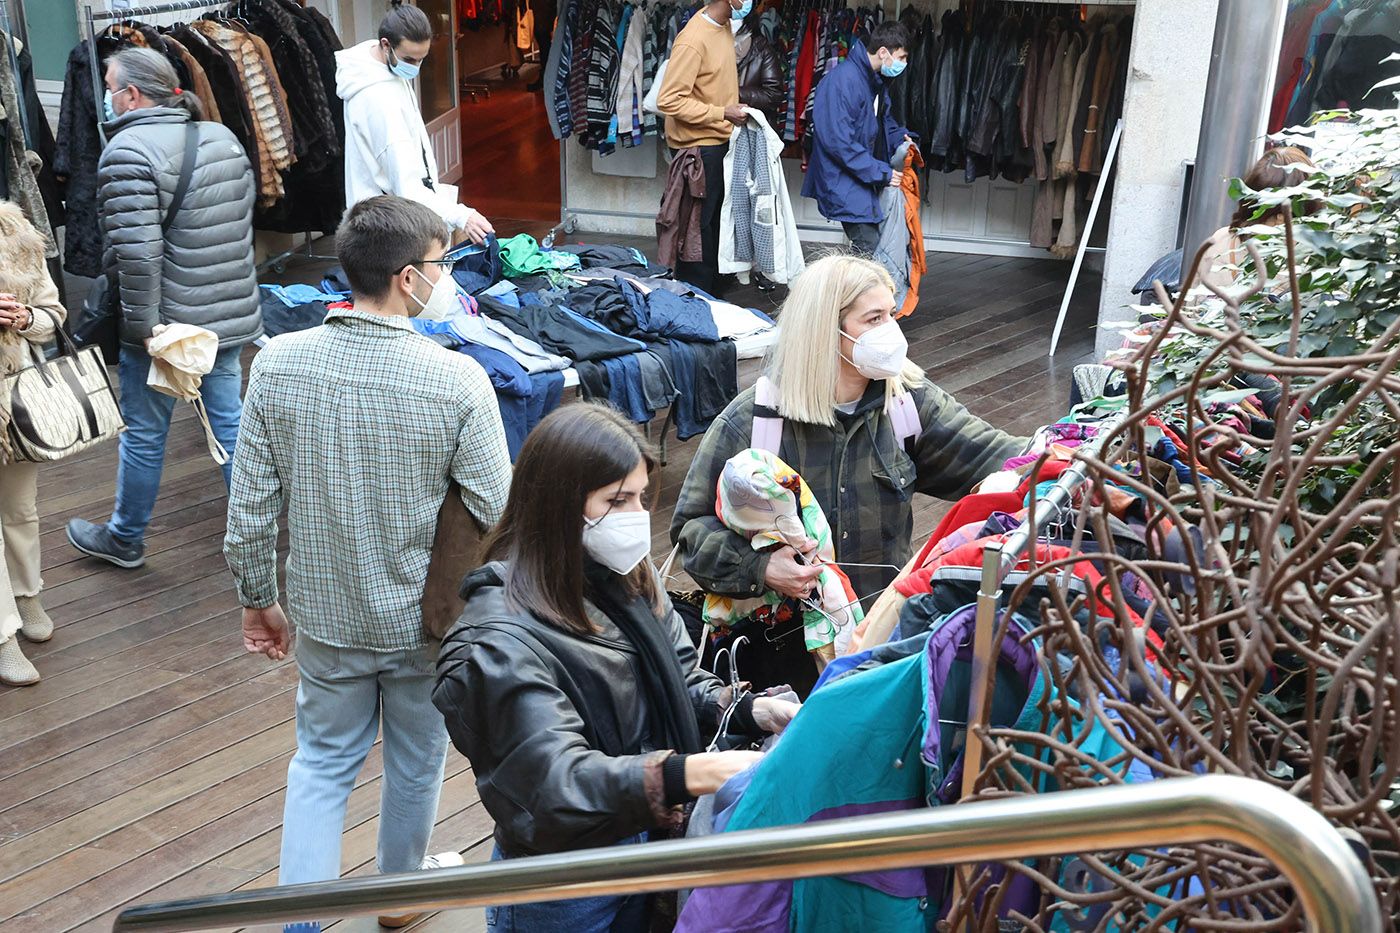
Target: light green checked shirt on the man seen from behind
pixel 356 429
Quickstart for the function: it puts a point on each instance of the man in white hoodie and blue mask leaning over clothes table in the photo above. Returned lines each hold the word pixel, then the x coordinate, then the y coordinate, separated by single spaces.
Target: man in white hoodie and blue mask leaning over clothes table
pixel 388 151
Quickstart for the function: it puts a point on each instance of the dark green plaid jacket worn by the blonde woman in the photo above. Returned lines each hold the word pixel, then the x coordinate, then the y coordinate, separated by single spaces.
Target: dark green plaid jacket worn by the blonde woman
pixel 859 474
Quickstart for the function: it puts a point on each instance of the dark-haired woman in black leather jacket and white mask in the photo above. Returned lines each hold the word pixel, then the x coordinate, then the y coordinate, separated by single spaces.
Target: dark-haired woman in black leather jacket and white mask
pixel 570 683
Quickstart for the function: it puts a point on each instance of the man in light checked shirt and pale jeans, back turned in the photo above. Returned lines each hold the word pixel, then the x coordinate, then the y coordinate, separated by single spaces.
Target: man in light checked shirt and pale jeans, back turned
pixel 356 428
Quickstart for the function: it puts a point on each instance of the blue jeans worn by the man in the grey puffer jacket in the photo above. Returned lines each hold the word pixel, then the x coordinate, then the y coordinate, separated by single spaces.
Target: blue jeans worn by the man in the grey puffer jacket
pixel 148 413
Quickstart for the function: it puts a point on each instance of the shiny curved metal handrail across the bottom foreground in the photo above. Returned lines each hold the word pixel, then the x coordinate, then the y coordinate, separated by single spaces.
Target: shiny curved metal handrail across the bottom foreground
pixel 1332 885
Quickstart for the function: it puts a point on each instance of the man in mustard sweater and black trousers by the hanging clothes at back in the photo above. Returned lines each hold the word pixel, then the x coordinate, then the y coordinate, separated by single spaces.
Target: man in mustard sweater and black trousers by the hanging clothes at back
pixel 701 102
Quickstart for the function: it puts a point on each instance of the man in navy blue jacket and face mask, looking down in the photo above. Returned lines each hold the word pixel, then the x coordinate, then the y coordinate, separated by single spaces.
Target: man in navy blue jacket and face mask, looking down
pixel 855 135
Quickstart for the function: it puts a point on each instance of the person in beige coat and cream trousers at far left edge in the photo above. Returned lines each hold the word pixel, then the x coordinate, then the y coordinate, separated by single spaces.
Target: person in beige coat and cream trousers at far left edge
pixel 30 312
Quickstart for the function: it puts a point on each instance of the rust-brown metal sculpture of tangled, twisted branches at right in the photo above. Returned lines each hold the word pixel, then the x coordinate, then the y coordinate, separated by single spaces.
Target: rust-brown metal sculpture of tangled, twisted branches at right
pixel 1279 635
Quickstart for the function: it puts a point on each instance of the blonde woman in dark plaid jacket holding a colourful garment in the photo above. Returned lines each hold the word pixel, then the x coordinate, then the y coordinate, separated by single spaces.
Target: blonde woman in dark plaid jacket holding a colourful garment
pixel 841 379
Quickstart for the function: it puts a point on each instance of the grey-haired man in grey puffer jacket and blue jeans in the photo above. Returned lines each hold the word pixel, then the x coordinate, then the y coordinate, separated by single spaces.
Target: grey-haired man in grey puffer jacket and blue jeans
pixel 190 264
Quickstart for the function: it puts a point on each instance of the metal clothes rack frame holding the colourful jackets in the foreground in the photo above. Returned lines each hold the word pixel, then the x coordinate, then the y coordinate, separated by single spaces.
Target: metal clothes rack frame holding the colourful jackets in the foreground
pixel 997 561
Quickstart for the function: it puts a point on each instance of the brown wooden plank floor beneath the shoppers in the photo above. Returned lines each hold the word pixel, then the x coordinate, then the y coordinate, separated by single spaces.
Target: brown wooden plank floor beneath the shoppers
pixel 152 760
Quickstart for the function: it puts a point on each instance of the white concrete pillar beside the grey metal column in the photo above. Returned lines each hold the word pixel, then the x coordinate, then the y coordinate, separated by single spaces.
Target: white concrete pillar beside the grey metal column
pixel 1161 127
